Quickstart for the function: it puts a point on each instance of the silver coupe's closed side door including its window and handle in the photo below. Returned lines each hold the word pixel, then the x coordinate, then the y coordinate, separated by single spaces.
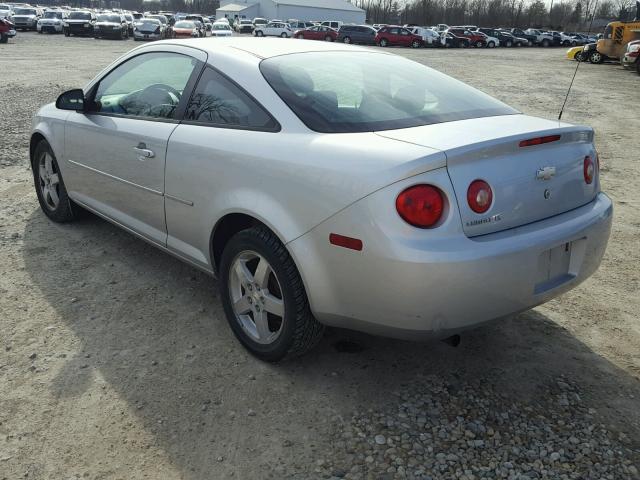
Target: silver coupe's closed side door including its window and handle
pixel 115 151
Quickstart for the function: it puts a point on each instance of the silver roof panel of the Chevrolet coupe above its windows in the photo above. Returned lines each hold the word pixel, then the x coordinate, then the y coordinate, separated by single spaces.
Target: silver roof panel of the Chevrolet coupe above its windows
pixel 262 47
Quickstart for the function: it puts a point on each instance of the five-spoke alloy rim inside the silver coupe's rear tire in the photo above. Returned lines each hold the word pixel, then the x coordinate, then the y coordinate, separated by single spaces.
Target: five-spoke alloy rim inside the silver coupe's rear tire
pixel 256 297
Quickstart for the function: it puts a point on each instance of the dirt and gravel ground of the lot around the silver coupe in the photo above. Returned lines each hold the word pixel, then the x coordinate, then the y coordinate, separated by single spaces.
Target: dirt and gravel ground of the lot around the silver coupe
pixel 116 361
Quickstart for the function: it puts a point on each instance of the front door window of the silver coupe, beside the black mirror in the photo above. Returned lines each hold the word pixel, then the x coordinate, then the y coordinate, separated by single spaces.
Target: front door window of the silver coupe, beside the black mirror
pixel 148 85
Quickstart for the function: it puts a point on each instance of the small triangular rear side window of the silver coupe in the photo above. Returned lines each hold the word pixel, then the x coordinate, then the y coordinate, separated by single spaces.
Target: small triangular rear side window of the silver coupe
pixel 219 102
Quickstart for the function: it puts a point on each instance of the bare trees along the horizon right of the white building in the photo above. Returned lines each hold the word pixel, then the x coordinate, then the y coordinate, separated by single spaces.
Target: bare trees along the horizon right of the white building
pixel 561 14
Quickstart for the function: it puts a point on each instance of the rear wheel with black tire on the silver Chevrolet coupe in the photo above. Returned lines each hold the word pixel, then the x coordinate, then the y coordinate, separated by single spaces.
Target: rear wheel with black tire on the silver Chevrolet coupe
pixel 297 331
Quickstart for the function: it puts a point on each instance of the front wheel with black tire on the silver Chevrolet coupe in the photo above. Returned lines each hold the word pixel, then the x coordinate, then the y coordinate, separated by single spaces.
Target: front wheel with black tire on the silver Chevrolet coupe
pixel 44 166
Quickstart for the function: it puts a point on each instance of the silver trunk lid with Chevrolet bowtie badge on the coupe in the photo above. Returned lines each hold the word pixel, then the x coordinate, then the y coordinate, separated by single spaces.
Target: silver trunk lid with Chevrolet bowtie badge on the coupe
pixel 529 183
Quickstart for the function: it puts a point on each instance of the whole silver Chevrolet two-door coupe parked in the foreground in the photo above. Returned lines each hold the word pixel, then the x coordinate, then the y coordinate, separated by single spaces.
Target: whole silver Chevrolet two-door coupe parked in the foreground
pixel 327 184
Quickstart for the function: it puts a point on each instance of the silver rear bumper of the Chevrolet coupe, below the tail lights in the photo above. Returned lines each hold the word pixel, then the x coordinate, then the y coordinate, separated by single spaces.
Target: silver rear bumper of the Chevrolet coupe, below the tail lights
pixel 432 286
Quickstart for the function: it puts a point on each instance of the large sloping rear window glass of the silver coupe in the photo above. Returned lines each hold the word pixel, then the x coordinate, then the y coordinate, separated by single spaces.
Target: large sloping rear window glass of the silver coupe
pixel 337 92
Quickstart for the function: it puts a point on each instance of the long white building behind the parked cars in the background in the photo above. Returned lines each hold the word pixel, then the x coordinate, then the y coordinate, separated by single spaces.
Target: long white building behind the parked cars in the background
pixel 304 10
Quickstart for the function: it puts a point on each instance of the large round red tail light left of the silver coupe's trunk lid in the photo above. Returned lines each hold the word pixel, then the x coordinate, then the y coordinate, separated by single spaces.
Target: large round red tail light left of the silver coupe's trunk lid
pixel 420 205
